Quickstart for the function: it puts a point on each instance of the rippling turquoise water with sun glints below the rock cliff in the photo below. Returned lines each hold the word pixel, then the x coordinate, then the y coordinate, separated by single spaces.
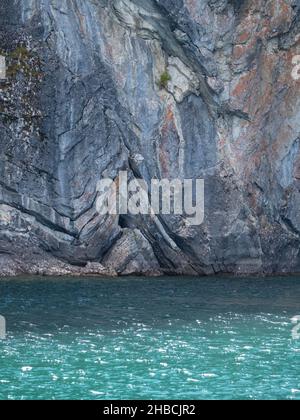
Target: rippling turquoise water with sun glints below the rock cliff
pixel 136 338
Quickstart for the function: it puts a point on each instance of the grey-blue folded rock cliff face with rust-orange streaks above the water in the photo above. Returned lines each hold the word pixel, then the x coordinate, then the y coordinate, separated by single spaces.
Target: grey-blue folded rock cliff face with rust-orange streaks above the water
pixel 82 100
